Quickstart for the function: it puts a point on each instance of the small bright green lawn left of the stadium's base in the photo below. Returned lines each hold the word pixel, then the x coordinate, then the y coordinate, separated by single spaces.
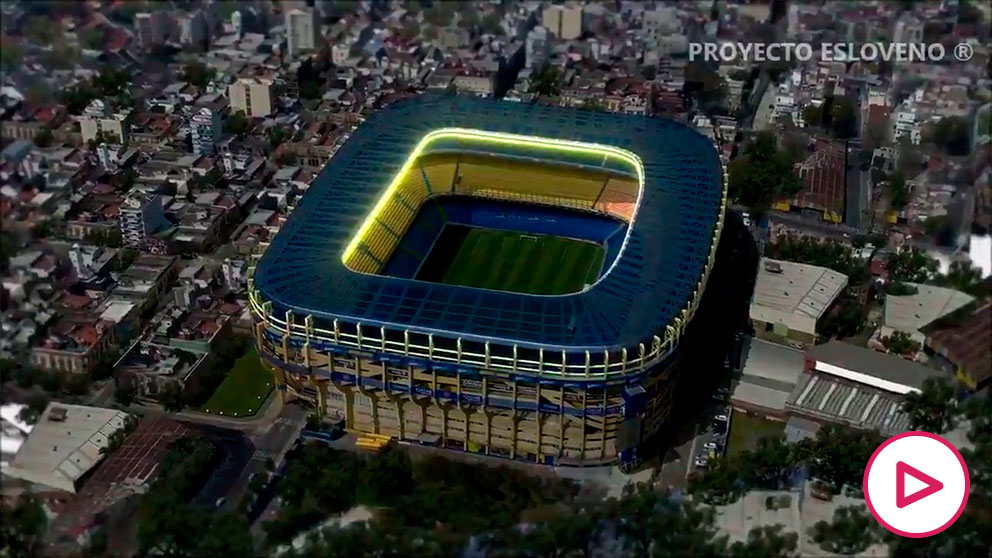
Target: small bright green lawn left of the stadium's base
pixel 243 390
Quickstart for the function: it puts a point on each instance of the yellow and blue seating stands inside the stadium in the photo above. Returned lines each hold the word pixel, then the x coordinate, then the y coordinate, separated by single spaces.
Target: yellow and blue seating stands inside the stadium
pixel 492 177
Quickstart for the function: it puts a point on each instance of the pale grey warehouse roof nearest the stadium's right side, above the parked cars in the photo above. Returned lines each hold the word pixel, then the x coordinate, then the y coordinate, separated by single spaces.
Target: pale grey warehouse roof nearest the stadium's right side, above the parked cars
pixel 794 294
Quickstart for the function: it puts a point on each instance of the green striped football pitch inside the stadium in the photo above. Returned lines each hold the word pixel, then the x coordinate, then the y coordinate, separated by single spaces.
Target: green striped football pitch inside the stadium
pixel 512 261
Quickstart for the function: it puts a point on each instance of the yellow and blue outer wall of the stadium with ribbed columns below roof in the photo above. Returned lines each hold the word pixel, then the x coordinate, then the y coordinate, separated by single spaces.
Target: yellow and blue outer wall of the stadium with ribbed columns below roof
pixel 499 399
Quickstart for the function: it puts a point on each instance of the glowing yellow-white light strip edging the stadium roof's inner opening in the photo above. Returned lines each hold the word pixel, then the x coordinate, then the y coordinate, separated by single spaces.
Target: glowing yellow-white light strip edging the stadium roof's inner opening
pixel 504 139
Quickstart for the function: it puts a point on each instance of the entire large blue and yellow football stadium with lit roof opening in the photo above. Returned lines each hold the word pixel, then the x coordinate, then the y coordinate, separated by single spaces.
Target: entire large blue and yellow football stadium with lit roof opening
pixel 494 277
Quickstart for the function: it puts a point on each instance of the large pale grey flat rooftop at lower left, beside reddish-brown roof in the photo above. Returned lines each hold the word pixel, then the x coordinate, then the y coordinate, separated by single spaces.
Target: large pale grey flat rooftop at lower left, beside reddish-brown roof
pixel 58 452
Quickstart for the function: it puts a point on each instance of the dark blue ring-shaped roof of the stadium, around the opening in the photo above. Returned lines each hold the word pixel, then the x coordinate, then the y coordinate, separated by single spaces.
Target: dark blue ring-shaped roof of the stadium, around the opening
pixel 649 286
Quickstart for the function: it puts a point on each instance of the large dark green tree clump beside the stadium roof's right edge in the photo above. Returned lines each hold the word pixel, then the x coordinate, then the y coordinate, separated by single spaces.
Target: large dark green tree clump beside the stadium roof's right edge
pixel 763 173
